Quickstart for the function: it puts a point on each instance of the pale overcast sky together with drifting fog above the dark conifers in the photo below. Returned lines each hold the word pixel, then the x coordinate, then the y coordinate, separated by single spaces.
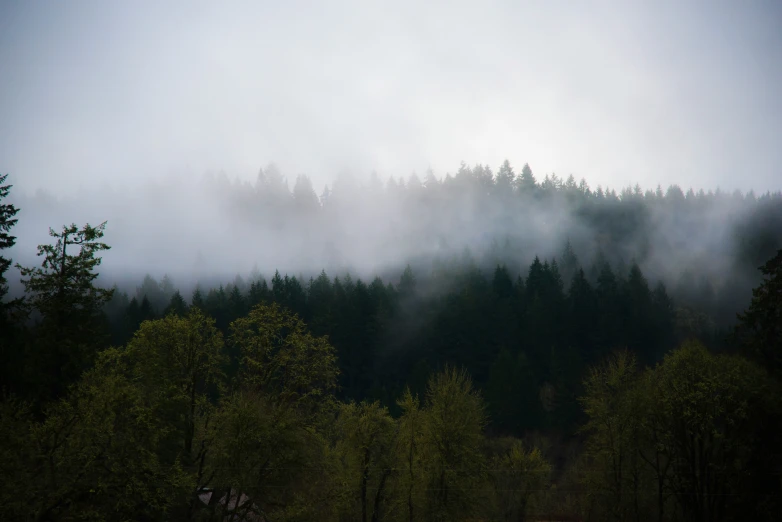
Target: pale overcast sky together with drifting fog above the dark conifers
pixel 156 118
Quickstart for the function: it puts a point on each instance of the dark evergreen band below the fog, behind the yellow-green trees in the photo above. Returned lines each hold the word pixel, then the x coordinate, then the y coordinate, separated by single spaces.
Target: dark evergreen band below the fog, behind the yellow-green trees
pixel 516 337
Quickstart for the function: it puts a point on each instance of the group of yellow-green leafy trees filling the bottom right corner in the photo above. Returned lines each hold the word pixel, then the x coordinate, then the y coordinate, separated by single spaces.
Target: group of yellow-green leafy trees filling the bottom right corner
pixel 683 439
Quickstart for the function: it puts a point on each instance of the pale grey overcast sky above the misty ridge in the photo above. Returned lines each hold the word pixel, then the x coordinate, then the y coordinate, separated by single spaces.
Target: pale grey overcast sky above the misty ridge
pixel 616 92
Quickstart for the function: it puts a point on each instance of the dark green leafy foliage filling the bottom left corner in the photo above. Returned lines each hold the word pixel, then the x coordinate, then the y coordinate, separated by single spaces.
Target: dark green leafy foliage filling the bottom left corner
pixel 95 456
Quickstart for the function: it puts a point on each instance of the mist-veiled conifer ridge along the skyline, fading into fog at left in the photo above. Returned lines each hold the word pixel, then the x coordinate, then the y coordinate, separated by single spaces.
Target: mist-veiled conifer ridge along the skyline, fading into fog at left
pixel 678 235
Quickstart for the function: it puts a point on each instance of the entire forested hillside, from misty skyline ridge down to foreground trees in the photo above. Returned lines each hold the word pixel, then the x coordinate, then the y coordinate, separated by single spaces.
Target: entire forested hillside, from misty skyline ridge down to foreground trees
pixel 486 346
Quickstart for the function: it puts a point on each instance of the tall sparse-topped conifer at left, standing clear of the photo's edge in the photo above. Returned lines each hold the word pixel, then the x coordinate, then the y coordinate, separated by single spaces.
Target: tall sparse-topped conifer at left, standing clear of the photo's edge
pixel 62 291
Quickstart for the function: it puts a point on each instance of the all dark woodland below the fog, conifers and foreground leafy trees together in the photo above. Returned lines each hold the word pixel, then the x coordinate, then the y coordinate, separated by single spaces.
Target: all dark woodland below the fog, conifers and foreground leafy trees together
pixel 462 395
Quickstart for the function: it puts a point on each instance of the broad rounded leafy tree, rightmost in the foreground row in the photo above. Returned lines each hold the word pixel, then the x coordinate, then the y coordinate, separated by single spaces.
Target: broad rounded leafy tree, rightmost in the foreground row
pixel 716 412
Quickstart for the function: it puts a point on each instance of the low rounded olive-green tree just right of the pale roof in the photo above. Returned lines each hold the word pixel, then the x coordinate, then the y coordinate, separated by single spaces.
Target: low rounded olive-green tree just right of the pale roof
pixel 265 451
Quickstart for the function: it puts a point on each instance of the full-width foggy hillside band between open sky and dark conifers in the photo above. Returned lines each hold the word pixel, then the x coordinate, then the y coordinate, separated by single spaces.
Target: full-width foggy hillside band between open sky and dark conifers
pixel 211 228
